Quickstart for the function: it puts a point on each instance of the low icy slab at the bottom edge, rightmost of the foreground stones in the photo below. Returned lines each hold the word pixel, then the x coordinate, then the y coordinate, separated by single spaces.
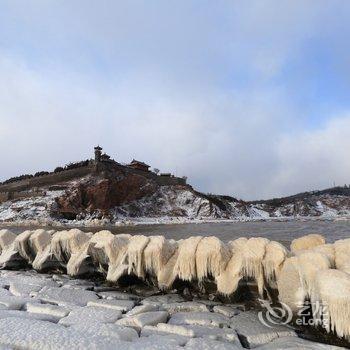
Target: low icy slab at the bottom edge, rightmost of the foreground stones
pixel 294 343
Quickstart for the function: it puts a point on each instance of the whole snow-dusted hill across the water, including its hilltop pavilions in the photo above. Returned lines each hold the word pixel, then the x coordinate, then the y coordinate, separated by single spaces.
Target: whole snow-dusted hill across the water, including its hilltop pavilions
pixel 103 191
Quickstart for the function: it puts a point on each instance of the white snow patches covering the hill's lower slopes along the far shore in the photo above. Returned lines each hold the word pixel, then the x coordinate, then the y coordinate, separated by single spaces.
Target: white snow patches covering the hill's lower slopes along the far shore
pixel 161 208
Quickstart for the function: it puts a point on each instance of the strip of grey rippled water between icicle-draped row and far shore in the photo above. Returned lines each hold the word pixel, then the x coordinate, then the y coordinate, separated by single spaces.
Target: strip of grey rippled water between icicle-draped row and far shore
pixel 283 232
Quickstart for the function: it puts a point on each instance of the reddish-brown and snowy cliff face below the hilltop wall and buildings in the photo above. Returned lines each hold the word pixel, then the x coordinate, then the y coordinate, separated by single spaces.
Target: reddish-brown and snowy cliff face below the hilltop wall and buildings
pixel 125 196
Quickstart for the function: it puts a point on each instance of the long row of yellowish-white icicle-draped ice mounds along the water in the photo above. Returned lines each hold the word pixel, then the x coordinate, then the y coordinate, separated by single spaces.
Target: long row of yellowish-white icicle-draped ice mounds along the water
pixel 310 271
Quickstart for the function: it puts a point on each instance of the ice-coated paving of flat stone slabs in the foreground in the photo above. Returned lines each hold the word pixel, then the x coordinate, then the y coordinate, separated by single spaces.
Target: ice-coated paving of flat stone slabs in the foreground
pixel 39 311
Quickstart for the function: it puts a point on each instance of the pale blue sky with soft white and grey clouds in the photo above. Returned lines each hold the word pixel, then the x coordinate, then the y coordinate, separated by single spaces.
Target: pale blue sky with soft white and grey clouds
pixel 246 98
